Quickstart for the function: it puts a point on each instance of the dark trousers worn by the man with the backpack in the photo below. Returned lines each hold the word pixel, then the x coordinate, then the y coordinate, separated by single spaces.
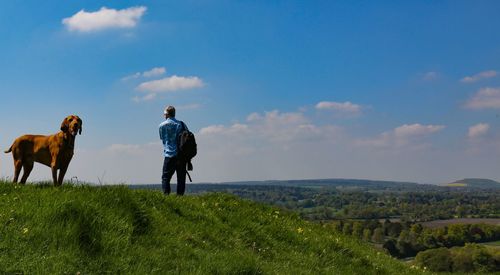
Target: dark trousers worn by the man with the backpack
pixel 170 166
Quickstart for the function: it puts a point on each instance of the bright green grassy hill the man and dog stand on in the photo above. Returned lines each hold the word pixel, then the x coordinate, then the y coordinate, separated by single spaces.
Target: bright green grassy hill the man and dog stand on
pixel 47 230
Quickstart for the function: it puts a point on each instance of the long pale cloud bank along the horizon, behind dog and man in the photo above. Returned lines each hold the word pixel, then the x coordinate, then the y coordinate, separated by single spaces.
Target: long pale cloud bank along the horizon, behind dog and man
pixel 284 145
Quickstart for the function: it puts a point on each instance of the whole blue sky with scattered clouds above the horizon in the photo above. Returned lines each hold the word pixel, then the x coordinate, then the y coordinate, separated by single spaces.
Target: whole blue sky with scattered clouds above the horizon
pixel 273 89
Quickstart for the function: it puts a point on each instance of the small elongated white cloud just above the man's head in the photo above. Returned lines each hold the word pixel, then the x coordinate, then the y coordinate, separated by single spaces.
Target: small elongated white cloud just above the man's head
pixel 170 84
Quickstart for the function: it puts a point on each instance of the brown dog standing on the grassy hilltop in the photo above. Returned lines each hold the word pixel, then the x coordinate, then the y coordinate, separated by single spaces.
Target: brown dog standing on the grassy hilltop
pixel 54 151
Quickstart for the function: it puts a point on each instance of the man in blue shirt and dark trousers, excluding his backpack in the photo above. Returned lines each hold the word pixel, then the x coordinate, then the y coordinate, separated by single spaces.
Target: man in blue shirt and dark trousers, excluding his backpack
pixel 170 130
